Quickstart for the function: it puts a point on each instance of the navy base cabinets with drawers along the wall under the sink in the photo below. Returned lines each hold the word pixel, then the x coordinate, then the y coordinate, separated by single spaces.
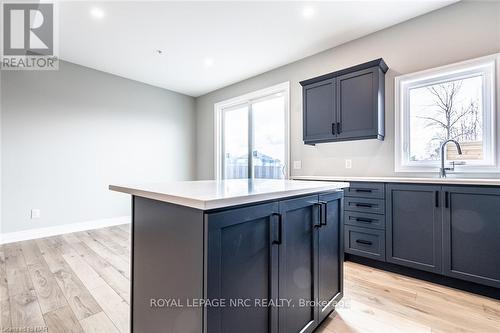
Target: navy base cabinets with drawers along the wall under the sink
pixel 453 231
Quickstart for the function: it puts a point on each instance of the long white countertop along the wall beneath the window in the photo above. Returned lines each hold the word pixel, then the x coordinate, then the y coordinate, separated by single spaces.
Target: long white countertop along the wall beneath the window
pixel 421 180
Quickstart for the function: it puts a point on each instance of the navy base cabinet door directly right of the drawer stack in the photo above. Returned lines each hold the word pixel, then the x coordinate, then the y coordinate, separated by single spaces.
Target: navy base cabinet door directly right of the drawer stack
pixel 414 226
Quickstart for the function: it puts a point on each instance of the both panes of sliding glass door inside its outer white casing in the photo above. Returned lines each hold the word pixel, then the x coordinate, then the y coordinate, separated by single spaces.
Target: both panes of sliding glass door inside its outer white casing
pixel 253 139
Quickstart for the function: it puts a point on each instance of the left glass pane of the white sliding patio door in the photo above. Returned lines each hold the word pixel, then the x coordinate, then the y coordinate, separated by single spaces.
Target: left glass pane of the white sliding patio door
pixel 235 143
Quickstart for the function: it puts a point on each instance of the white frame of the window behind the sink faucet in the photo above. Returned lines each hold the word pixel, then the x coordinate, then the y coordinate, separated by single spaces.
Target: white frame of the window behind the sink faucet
pixel 488 68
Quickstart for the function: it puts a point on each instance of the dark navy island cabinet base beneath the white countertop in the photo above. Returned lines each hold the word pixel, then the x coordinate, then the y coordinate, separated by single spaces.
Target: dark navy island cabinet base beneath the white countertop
pixel 266 267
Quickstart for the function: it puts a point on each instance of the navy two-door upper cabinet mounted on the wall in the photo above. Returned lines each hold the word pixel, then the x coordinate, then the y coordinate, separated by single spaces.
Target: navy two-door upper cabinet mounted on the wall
pixel 345 105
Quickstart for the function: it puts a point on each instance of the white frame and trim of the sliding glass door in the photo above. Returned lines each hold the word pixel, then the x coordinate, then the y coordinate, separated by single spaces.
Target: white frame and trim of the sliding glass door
pixel 247 99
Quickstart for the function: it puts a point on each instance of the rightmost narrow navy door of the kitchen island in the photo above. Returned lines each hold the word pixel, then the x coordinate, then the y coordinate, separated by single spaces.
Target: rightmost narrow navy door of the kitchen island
pixel 331 254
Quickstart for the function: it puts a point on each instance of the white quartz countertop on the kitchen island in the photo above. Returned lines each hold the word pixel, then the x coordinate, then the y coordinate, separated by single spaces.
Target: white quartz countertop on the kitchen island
pixel 211 194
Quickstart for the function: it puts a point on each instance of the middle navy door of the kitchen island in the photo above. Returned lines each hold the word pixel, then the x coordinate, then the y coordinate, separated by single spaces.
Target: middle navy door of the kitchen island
pixel 298 264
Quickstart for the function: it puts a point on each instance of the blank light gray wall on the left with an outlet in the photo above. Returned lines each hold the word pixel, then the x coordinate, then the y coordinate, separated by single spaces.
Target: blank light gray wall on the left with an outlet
pixel 68 134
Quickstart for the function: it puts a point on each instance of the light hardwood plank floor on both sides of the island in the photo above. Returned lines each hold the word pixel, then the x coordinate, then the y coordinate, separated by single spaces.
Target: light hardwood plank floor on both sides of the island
pixel 80 283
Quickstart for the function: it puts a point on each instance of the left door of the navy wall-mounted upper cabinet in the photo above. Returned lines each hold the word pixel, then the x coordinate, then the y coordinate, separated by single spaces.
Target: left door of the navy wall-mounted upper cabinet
pixel 319 111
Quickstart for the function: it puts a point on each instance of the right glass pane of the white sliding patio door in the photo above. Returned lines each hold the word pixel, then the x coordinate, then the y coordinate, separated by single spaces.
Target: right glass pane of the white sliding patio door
pixel 268 155
